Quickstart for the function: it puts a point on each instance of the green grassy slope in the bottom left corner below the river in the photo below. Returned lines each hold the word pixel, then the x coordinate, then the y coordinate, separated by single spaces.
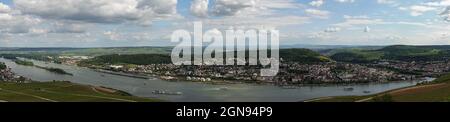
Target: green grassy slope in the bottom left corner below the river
pixel 62 92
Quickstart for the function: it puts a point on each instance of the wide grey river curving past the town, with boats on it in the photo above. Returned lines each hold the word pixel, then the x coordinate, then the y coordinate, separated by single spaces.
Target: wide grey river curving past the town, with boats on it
pixel 198 92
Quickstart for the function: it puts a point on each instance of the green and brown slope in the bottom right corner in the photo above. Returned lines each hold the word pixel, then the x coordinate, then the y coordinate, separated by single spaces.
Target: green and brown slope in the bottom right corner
pixel 439 91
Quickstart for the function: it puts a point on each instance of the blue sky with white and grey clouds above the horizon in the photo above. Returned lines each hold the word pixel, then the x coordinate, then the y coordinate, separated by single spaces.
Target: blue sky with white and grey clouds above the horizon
pixel 112 23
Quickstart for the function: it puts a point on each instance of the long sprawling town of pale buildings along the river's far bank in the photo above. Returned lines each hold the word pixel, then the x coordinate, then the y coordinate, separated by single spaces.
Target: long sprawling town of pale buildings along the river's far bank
pixel 291 73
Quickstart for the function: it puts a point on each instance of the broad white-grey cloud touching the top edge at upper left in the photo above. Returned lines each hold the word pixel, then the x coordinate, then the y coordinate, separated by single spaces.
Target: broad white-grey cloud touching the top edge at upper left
pixel 97 11
